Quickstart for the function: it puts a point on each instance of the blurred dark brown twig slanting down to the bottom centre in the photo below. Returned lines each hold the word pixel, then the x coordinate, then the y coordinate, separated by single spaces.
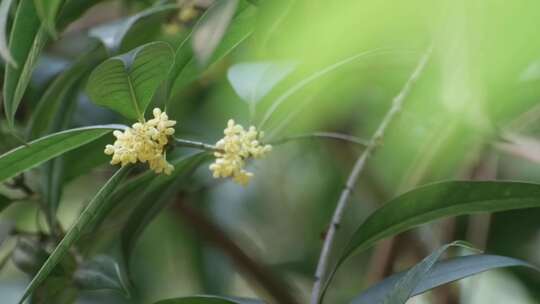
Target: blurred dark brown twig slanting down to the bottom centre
pixel 278 290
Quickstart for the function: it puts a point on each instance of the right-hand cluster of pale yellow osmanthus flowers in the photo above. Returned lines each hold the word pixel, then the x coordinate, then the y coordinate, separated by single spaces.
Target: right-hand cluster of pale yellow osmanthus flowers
pixel 235 149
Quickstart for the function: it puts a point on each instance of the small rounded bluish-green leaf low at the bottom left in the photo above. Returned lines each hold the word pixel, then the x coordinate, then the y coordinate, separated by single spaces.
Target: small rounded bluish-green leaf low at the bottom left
pixel 100 273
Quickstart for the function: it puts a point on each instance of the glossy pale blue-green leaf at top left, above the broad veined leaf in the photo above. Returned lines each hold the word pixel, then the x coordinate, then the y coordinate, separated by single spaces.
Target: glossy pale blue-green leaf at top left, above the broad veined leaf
pixel 115 36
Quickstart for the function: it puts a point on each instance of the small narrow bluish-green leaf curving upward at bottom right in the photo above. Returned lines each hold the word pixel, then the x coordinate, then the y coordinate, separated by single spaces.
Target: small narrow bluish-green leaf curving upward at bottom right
pixel 405 286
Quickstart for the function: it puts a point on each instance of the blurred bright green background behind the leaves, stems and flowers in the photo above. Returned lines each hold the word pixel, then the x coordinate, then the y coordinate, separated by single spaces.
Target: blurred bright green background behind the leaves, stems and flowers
pixel 473 114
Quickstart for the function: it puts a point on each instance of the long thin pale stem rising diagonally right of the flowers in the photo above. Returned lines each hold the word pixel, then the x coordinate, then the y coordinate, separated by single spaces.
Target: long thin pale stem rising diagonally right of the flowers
pixel 397 102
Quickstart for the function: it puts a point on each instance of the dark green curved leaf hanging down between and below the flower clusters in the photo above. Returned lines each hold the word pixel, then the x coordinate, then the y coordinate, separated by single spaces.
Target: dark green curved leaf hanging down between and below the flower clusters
pixel 155 197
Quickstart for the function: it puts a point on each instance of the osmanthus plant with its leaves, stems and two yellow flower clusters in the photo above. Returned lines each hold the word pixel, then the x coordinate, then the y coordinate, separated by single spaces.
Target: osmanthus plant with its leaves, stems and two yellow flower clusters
pixel 128 69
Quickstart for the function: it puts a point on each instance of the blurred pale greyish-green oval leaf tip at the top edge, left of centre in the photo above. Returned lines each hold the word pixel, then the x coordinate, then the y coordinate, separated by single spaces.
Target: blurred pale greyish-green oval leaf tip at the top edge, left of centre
pixel 209 31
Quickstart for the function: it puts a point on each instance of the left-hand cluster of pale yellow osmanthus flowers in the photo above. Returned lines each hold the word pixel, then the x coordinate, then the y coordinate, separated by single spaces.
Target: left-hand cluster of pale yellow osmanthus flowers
pixel 144 142
